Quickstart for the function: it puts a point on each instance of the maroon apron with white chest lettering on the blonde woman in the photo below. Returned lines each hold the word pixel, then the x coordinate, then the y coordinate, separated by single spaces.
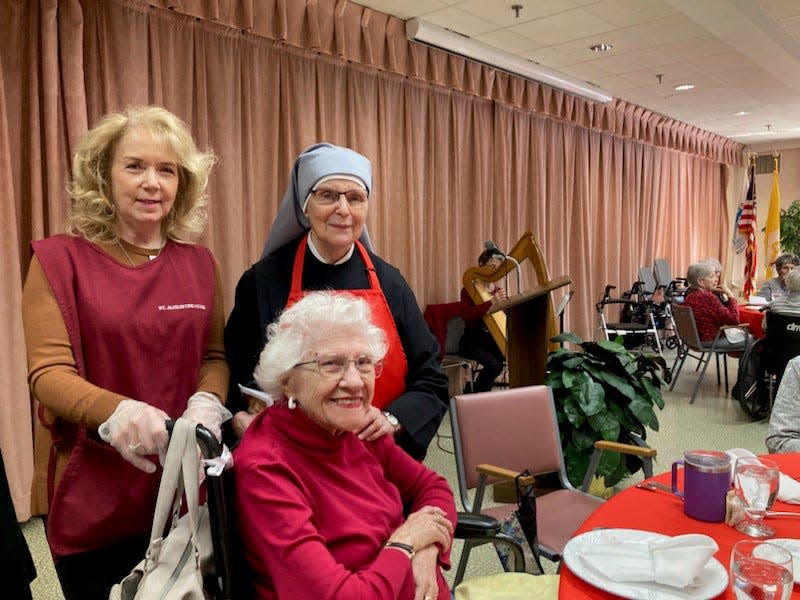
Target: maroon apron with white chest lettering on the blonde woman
pixel 140 332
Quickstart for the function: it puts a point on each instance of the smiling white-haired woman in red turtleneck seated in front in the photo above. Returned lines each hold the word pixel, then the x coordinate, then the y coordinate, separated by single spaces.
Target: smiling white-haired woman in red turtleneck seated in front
pixel 323 511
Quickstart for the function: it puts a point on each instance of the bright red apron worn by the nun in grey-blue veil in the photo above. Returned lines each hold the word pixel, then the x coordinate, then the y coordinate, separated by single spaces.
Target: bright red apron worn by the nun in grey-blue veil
pixel 392 381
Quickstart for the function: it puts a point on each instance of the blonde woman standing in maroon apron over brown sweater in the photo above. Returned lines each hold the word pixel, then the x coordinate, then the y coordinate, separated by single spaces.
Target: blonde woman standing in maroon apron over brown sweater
pixel 124 329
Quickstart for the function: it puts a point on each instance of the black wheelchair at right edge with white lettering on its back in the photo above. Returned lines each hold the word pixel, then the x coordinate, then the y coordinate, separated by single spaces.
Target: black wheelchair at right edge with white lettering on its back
pixel 762 365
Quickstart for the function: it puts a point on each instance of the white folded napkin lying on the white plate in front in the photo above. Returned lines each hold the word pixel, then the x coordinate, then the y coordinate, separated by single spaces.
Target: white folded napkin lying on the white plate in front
pixel 674 562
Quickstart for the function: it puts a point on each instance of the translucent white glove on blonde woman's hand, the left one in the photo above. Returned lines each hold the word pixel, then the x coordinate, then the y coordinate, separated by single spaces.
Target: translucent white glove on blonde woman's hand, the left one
pixel 136 429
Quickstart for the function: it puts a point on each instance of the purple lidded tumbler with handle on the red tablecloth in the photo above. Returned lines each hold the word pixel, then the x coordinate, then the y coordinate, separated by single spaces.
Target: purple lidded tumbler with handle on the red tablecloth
pixel 706 481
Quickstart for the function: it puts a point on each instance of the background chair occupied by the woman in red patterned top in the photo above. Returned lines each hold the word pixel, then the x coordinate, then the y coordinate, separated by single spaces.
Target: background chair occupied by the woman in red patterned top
pixel 683 317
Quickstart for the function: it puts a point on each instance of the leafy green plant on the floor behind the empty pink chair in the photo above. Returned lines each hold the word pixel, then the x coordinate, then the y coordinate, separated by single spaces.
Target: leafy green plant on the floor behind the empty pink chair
pixel 603 391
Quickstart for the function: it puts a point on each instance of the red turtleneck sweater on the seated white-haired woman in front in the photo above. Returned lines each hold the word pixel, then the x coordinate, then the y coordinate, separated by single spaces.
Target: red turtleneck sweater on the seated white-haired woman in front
pixel 315 509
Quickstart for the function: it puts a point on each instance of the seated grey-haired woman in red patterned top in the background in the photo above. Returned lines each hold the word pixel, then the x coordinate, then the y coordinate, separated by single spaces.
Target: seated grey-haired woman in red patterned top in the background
pixel 713 303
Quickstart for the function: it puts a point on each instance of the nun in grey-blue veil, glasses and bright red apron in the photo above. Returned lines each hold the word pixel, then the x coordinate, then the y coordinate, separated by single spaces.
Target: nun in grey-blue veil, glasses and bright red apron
pixel 319 241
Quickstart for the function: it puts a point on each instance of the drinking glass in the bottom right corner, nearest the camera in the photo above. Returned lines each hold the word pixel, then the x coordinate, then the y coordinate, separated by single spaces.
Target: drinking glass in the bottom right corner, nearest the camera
pixel 761 570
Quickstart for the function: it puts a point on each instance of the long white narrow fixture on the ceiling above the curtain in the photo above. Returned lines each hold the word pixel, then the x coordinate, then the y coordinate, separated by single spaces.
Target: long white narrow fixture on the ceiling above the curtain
pixel 427 33
